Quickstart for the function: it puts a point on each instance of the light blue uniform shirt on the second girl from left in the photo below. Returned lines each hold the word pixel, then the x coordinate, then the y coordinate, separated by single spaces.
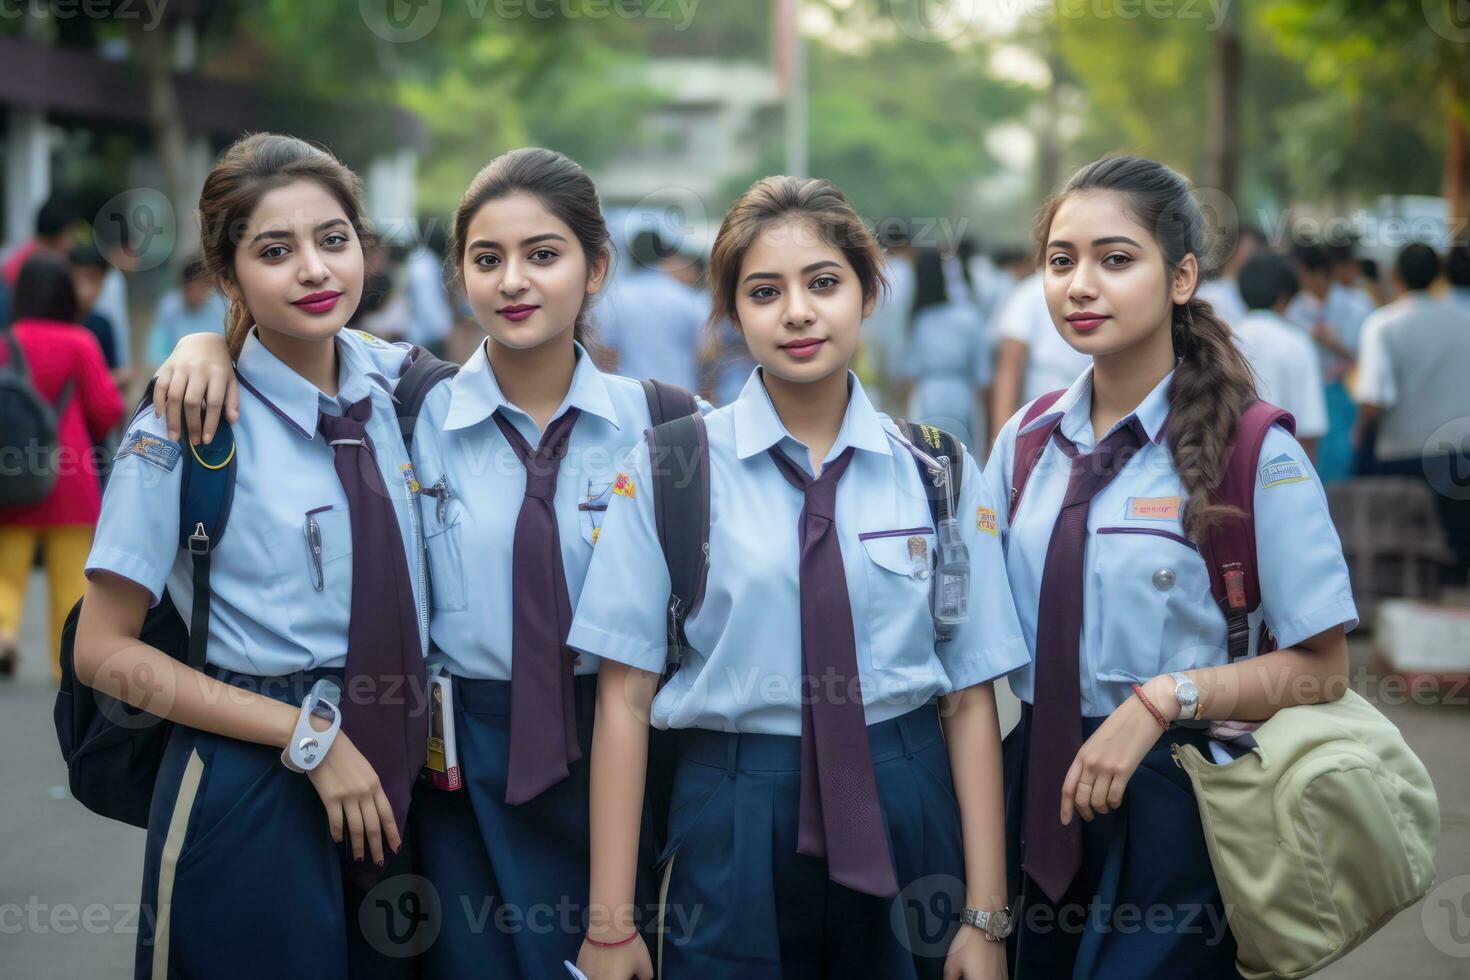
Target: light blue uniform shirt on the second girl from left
pixel 471 534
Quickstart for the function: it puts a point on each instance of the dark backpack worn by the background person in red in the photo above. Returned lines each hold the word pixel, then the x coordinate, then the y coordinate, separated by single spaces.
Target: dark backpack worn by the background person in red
pixel 29 433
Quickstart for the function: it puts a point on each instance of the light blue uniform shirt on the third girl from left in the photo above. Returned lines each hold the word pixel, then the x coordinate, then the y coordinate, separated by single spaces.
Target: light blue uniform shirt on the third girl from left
pixel 745 665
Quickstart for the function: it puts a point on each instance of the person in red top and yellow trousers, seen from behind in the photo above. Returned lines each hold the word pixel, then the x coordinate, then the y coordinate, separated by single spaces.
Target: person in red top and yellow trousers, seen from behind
pixel 57 350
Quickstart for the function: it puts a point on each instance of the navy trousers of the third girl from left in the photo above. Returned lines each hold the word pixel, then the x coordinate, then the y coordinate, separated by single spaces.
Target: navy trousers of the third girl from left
pixel 737 900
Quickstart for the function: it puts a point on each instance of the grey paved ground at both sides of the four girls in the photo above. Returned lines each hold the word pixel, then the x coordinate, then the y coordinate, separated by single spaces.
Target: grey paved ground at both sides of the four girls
pixel 70 879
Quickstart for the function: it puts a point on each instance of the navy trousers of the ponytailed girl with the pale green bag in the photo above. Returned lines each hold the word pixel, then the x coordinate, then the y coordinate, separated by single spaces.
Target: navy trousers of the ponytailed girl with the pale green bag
pixel 1146 903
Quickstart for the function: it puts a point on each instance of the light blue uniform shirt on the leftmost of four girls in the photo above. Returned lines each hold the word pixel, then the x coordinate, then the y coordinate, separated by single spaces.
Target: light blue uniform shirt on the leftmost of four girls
pixel 268 618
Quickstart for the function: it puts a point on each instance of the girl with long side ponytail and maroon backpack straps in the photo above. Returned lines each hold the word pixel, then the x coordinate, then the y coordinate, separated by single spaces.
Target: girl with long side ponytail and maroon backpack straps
pixel 1103 558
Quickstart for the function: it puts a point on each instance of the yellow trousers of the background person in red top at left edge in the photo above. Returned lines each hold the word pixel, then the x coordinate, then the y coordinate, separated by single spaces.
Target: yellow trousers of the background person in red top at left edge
pixel 65 552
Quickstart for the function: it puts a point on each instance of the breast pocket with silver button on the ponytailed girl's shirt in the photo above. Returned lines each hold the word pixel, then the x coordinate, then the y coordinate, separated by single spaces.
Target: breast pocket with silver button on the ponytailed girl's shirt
pixel 1158 613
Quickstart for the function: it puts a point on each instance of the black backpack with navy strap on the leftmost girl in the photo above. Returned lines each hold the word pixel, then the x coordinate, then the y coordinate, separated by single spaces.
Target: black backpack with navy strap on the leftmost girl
pixel 112 750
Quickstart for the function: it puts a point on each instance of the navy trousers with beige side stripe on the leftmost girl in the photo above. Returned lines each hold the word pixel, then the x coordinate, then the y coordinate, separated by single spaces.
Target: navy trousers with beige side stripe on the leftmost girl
pixel 242 878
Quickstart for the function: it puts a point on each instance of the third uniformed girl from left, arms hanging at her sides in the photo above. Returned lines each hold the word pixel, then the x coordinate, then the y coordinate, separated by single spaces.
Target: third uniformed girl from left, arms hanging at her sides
pixel 815 826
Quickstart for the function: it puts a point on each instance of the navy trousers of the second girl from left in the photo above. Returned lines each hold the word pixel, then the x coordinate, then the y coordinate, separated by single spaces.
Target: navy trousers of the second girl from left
pixel 511 882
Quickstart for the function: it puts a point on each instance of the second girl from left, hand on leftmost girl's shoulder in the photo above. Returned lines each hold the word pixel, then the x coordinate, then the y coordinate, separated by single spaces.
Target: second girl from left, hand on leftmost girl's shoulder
pixel 515 461
